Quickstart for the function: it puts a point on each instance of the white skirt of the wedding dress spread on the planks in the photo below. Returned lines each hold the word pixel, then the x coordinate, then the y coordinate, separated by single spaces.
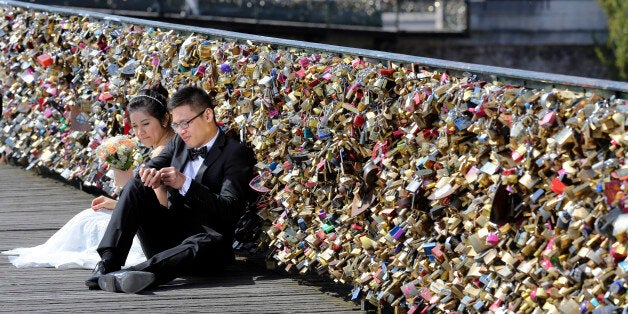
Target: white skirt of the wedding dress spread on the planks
pixel 74 245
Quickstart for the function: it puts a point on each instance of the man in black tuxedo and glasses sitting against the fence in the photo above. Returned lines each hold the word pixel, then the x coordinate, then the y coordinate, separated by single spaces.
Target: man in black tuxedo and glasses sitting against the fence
pixel 206 174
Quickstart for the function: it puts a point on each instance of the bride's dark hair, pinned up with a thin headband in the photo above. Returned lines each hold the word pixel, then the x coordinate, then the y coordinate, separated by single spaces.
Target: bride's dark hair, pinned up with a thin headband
pixel 154 100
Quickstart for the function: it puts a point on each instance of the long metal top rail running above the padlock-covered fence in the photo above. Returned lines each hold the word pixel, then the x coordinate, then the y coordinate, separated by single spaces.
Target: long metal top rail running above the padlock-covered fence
pixel 524 78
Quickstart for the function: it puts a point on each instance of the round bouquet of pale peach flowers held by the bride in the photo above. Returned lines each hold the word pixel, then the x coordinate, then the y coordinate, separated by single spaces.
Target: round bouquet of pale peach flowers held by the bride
pixel 118 151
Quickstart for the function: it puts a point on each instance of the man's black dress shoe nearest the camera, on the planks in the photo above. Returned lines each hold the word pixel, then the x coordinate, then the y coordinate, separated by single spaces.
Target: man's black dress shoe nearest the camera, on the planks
pixel 127 281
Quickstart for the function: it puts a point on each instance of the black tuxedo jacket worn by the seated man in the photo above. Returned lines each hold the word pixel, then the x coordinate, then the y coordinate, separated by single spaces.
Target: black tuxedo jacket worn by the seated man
pixel 220 191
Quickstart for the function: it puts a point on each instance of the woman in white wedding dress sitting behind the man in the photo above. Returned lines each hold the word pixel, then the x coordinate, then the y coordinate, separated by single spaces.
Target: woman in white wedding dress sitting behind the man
pixel 74 245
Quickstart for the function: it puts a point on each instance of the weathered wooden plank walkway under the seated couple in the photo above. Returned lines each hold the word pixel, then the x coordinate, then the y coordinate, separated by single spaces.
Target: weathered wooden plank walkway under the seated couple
pixel 33 207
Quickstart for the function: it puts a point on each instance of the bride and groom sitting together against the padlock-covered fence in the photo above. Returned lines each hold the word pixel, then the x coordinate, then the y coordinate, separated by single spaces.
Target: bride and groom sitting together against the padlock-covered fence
pixel 182 205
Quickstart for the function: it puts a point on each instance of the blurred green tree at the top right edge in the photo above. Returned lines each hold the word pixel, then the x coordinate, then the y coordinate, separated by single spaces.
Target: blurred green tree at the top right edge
pixel 615 53
